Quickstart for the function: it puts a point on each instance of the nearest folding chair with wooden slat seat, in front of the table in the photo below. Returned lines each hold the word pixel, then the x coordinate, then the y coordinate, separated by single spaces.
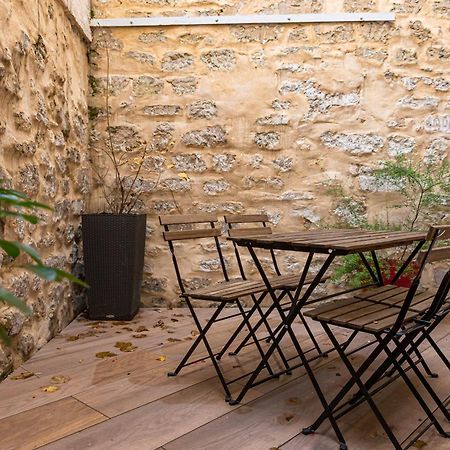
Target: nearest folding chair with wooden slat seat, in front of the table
pixel 396 327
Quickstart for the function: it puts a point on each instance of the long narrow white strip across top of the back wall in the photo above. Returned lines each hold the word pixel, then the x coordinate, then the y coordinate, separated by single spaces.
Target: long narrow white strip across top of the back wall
pixel 243 20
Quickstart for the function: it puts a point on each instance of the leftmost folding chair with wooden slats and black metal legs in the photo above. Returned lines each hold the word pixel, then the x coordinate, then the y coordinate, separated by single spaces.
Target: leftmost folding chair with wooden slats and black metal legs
pixel 178 228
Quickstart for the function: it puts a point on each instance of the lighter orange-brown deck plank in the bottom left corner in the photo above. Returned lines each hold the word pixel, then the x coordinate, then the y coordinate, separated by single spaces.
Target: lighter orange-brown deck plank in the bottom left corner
pixel 39 426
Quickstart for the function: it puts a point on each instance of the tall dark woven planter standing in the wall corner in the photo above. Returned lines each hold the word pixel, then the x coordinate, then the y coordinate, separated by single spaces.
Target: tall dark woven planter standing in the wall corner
pixel 113 246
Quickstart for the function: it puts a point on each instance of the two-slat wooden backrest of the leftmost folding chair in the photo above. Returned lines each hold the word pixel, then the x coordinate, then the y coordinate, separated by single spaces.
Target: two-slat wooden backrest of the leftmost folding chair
pixel 199 226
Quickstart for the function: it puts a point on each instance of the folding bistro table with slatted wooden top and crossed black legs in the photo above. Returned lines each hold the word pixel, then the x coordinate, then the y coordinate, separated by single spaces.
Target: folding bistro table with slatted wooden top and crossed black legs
pixel 333 243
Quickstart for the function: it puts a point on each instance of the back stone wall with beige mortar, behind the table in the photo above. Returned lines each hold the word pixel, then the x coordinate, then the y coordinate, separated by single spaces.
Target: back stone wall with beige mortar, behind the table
pixel 284 119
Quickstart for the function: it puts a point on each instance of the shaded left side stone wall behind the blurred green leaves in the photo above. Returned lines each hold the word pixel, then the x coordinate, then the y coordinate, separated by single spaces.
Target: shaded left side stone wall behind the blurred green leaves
pixel 43 152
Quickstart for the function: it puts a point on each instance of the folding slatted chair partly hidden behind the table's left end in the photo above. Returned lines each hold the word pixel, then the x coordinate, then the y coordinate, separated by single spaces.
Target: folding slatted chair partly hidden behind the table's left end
pixel 256 225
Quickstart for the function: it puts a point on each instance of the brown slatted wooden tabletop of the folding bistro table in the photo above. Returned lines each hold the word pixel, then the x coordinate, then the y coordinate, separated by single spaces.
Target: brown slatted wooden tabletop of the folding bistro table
pixel 325 241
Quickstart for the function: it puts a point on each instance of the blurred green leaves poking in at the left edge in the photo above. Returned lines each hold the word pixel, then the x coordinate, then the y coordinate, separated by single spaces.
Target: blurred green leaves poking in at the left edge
pixel 16 204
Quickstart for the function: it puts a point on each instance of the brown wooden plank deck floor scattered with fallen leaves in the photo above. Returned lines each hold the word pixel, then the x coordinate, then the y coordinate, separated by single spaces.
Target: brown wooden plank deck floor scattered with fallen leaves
pixel 83 391
